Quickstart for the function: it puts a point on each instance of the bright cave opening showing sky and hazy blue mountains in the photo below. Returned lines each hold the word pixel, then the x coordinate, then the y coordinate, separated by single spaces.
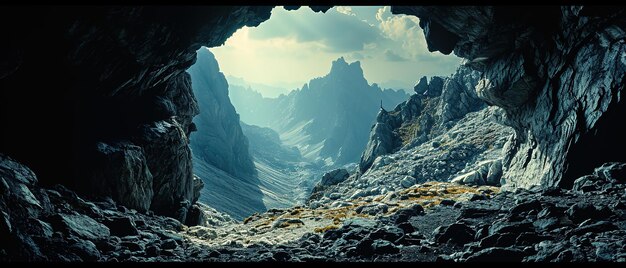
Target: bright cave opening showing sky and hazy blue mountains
pixel 286 101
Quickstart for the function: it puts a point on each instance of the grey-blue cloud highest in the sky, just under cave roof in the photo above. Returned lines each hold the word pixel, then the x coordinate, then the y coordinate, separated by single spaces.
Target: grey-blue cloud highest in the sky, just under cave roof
pixel 304 25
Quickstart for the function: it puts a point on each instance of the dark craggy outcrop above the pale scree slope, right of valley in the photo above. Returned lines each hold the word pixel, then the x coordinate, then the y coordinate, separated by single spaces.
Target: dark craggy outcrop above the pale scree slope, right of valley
pixel 430 112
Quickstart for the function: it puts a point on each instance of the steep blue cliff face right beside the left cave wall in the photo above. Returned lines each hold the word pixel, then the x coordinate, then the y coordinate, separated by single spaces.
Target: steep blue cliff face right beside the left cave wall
pixel 219 140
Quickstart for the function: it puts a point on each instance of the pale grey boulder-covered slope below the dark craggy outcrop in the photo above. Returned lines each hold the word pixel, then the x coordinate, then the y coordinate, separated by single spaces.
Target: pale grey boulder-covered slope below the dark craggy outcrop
pixel 474 142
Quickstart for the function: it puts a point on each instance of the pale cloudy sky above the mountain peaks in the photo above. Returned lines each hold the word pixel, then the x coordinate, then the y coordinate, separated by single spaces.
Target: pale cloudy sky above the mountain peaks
pixel 293 47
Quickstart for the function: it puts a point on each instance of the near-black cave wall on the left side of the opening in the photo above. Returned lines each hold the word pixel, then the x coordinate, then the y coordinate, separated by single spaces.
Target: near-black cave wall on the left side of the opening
pixel 97 98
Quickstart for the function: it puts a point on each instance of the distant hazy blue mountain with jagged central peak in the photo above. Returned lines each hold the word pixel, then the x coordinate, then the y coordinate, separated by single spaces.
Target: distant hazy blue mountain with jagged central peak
pixel 328 118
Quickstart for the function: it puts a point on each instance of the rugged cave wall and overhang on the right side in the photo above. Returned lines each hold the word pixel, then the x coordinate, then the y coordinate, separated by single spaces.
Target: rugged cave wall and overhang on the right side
pixel 558 72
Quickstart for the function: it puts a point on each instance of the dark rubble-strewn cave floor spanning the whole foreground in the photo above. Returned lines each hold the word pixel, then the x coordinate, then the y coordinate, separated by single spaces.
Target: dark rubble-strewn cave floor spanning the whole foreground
pixel 432 221
